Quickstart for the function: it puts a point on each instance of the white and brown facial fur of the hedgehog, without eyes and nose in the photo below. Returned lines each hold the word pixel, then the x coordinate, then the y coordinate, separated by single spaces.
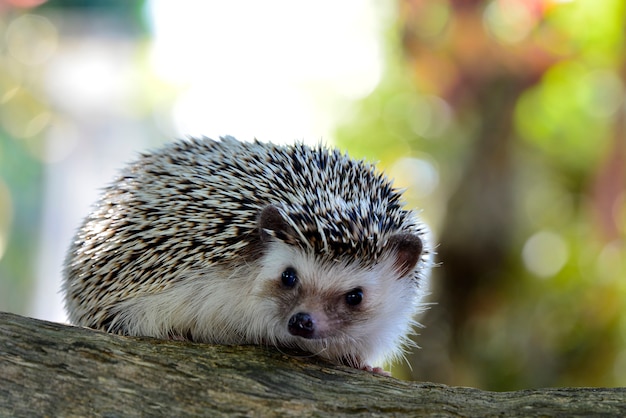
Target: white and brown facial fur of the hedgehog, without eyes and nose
pixel 373 331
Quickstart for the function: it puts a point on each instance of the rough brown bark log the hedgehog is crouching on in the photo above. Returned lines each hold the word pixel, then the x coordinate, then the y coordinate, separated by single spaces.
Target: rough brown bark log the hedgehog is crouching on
pixel 49 369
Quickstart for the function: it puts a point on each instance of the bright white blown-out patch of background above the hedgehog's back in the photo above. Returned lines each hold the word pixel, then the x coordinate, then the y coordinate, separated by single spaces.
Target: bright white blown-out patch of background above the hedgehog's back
pixel 277 70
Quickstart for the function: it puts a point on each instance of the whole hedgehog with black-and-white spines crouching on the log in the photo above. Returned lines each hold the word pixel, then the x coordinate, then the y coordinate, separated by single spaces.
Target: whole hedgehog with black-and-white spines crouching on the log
pixel 251 243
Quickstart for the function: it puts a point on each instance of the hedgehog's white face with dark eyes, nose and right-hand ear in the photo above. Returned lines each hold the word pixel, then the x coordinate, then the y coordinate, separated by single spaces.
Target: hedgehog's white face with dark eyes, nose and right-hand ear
pixel 346 310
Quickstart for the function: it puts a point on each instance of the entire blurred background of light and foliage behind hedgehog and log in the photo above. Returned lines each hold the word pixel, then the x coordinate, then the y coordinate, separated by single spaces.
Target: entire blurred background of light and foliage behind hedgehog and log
pixel 504 119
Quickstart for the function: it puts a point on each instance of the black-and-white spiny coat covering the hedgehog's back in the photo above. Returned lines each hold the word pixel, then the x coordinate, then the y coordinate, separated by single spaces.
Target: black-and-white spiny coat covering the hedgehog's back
pixel 197 201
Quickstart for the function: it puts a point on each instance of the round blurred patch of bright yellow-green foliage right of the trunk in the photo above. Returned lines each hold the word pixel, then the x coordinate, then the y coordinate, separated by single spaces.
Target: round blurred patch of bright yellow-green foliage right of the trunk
pixel 561 116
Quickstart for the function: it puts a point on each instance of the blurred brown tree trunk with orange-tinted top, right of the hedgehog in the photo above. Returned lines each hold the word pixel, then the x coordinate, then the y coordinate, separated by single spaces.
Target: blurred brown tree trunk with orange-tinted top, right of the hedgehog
pixel 482 81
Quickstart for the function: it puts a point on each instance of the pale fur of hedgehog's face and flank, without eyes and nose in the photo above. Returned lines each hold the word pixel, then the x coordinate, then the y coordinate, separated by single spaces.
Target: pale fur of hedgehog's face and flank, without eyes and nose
pixel 249 305
